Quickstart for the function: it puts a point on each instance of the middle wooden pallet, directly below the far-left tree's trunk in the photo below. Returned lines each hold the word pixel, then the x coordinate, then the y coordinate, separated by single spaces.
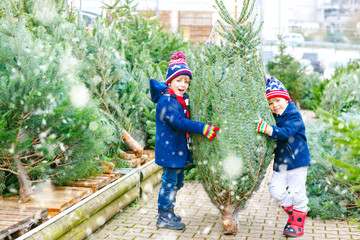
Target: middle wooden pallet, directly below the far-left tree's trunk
pixel 55 200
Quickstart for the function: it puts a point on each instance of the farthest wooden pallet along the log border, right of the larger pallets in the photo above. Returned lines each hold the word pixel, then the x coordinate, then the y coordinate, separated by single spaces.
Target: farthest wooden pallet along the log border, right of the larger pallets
pixel 95 183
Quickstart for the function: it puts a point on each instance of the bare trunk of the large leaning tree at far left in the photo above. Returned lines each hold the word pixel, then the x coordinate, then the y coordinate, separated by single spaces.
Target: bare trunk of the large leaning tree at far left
pixel 24 181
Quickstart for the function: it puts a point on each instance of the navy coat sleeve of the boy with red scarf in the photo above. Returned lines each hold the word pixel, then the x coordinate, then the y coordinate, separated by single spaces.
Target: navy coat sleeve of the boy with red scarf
pixel 170 113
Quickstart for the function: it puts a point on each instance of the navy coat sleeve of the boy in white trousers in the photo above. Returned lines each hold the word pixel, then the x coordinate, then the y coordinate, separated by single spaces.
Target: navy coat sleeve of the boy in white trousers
pixel 291 126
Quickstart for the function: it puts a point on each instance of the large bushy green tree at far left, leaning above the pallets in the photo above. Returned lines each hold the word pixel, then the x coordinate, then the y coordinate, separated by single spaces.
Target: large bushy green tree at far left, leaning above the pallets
pixel 50 127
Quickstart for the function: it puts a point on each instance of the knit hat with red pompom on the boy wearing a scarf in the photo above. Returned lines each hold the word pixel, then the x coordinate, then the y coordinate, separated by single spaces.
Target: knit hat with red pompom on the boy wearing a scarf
pixel 177 67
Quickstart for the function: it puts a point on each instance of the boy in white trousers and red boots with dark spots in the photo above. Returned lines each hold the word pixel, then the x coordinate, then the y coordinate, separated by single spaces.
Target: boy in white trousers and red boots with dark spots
pixel 292 157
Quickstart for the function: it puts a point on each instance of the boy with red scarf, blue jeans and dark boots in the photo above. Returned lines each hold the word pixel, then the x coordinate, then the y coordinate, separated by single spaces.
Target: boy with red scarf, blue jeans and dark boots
pixel 172 140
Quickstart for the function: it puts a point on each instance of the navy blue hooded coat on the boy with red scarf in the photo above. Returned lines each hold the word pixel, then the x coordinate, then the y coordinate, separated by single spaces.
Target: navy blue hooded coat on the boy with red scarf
pixel 171 127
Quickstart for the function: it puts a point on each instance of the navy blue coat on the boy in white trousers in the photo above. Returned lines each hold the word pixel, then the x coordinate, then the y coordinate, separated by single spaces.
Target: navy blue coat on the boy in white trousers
pixel 291 144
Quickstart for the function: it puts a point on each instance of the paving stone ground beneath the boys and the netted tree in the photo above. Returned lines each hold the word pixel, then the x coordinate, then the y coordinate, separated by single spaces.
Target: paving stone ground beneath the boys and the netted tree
pixel 261 219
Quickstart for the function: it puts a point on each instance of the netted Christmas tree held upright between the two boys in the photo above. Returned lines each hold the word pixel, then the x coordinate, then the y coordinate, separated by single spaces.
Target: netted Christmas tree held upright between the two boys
pixel 228 90
